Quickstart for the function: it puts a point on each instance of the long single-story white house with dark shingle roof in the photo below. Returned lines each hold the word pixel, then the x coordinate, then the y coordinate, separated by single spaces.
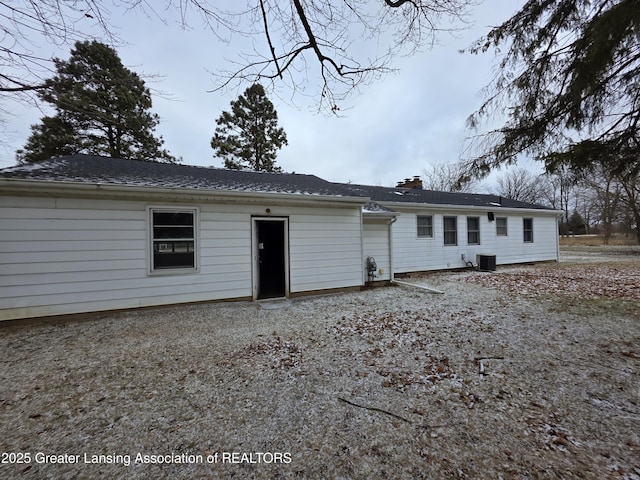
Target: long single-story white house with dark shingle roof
pixel 85 233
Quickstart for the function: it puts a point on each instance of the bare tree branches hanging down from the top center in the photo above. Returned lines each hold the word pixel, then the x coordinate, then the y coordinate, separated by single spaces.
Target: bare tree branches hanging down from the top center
pixel 319 38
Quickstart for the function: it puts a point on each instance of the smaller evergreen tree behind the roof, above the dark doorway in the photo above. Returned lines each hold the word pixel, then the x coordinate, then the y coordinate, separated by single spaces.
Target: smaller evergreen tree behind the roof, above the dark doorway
pixel 248 137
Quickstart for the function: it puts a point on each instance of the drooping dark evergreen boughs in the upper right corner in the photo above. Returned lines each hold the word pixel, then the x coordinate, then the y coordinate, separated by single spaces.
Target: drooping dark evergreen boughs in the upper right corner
pixel 568 84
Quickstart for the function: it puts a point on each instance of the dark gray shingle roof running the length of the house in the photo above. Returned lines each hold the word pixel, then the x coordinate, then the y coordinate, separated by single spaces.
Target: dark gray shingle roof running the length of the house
pixel 117 171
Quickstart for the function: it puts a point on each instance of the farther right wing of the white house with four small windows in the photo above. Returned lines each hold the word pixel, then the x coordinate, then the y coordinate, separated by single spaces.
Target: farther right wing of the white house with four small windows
pixel 442 230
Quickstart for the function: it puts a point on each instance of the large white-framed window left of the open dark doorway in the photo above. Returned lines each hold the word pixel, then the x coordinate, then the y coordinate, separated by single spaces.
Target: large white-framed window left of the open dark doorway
pixel 173 239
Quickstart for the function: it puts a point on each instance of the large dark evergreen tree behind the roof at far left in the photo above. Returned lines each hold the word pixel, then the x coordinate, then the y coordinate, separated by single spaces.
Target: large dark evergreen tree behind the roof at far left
pixel 102 108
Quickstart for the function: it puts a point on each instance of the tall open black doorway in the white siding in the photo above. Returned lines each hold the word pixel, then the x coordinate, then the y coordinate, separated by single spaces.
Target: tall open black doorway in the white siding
pixel 271 258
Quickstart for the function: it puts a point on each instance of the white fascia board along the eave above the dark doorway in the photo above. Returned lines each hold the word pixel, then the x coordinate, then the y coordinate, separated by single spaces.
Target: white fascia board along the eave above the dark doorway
pixel 20 187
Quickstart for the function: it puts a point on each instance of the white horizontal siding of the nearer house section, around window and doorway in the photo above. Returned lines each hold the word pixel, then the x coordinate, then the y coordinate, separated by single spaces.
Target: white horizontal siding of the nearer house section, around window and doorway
pixel 61 256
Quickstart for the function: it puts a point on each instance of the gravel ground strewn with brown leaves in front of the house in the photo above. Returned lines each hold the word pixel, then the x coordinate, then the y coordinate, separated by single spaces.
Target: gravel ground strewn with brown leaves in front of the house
pixel 529 372
